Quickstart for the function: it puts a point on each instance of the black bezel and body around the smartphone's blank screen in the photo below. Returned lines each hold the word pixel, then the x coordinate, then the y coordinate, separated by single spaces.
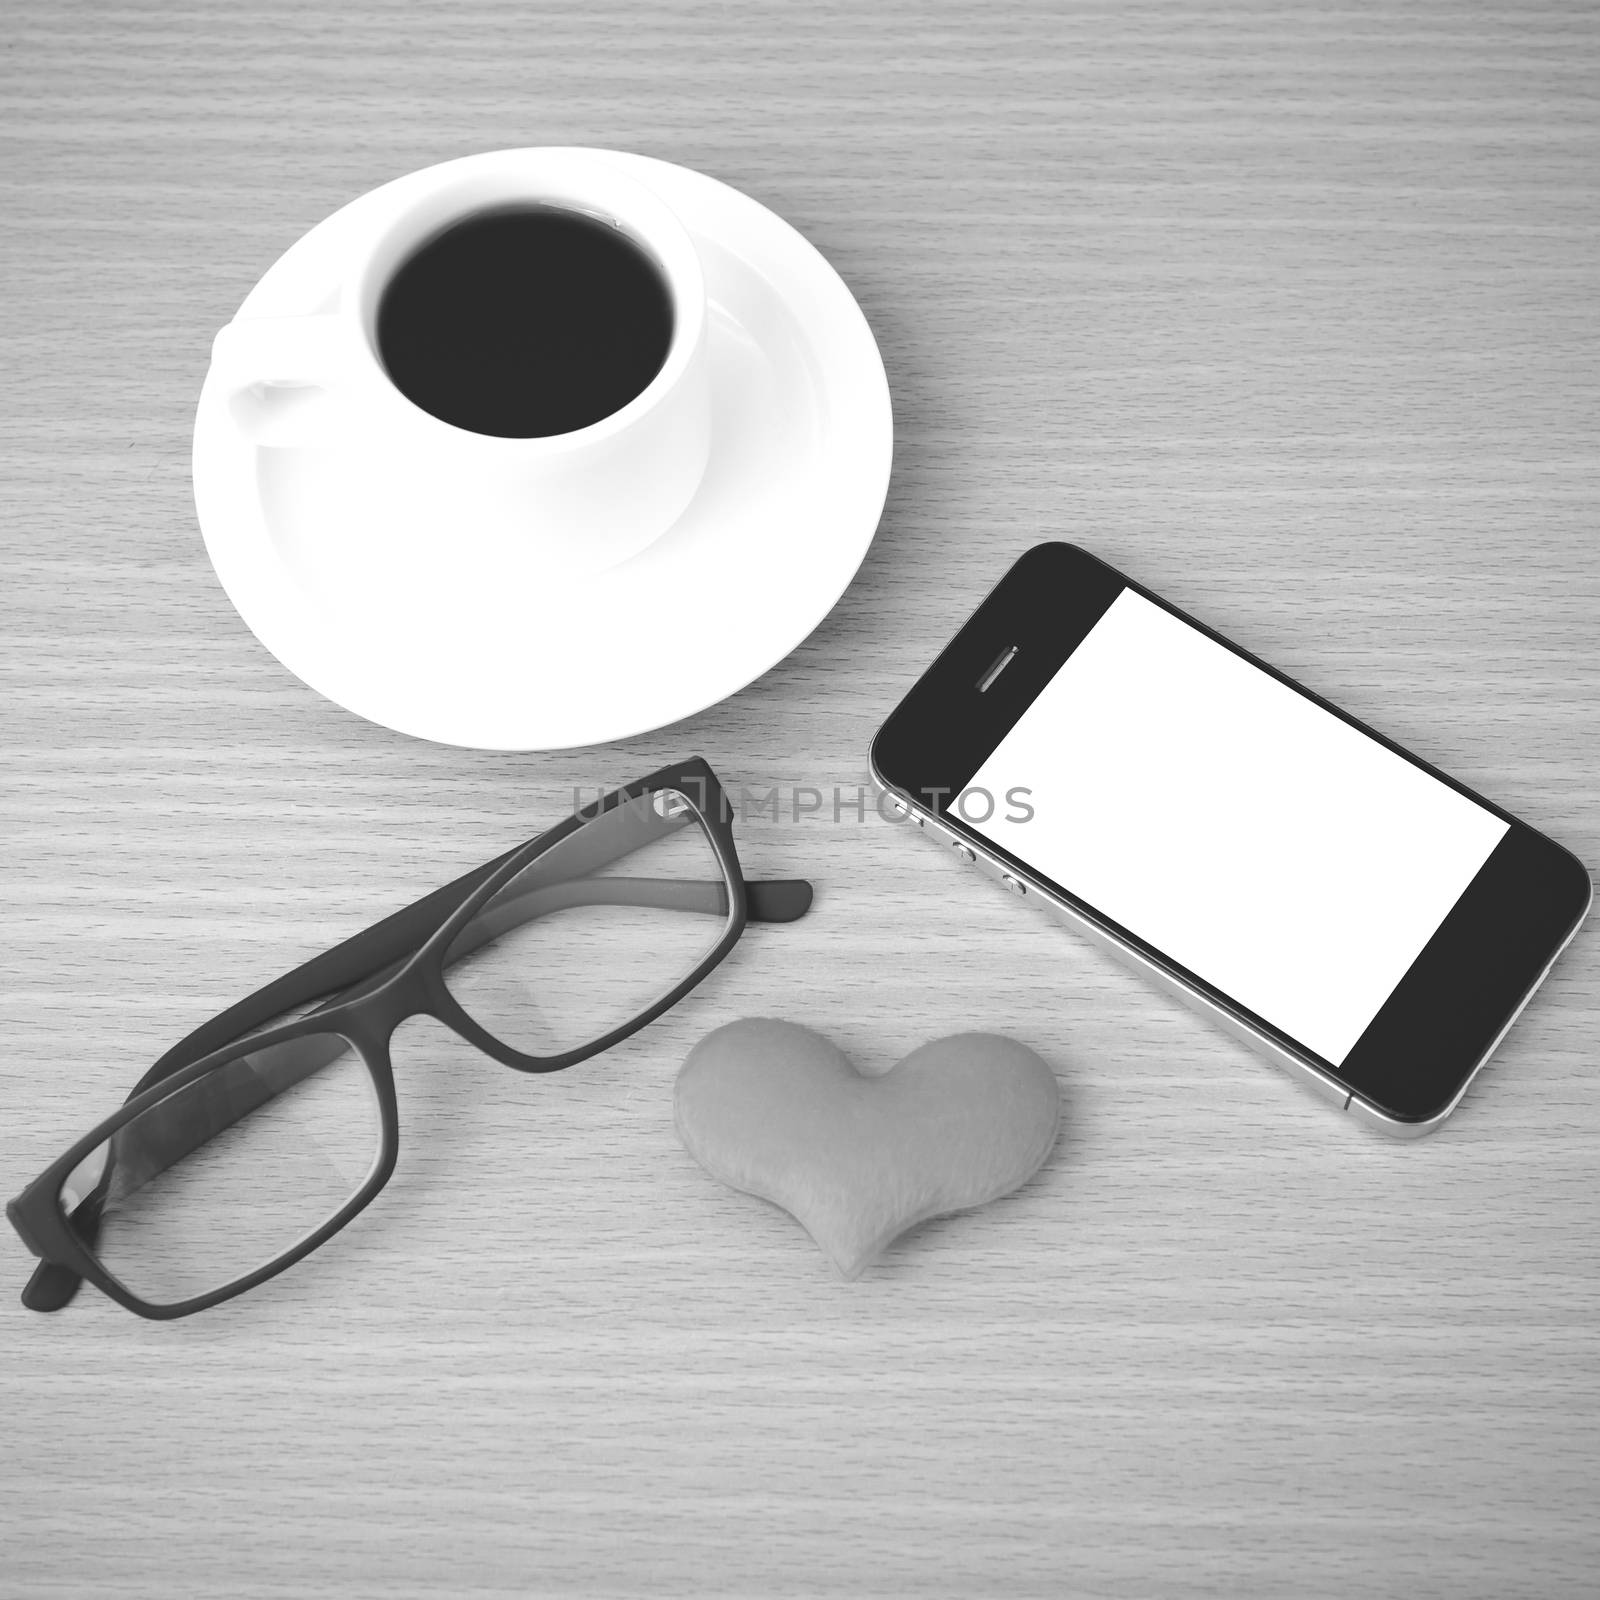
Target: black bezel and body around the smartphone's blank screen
pixel 1455 1002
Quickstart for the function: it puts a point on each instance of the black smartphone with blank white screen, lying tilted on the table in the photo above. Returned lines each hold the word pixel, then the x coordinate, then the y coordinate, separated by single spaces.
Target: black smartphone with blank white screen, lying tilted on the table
pixel 1327 897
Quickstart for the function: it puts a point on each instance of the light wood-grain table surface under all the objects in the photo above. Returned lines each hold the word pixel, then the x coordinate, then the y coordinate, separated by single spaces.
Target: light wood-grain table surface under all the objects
pixel 1290 311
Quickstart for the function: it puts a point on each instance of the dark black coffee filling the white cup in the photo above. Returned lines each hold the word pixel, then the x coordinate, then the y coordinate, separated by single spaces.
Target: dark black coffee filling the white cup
pixel 526 324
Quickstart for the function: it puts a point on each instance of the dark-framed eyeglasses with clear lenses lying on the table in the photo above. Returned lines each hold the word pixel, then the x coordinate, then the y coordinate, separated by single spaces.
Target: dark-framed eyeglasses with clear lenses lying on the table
pixel 247 1146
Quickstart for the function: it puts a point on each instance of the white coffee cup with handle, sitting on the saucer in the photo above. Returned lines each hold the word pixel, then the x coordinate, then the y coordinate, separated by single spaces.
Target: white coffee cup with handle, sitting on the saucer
pixel 446 503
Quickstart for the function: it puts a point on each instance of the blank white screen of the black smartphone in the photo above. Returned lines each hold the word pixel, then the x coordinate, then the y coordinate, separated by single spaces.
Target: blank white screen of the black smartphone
pixel 1236 826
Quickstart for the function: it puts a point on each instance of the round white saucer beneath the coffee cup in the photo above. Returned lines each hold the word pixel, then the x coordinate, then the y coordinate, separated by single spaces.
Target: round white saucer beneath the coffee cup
pixel 799 471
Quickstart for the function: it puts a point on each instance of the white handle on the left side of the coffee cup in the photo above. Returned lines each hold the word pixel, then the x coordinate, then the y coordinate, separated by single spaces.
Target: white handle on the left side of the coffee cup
pixel 284 378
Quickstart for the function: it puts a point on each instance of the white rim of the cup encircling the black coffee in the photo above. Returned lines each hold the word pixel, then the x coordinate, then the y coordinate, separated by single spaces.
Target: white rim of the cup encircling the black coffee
pixel 642 217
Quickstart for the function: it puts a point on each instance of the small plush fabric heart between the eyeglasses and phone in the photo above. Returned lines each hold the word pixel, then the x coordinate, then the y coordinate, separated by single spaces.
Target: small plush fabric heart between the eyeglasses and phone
pixel 780 1113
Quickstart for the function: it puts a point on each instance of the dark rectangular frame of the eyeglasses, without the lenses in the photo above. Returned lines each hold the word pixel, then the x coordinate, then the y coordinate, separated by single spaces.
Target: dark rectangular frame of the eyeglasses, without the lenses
pixel 374 993
